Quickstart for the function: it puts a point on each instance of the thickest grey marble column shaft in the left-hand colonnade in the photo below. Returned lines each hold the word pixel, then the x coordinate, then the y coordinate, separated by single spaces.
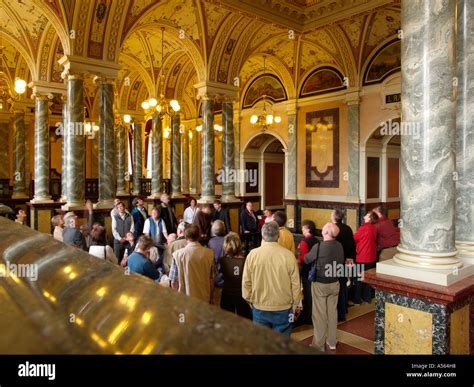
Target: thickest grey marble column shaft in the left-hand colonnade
pixel 75 143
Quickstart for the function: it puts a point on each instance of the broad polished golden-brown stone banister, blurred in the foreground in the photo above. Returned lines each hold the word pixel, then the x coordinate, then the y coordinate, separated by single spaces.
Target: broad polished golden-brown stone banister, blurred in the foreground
pixel 80 304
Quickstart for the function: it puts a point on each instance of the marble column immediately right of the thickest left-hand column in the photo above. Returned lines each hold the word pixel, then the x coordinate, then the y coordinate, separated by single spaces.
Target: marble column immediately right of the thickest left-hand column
pixel 106 145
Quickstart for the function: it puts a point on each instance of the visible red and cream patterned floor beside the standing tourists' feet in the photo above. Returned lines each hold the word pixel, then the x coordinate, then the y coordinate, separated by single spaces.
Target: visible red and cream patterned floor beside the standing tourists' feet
pixel 355 336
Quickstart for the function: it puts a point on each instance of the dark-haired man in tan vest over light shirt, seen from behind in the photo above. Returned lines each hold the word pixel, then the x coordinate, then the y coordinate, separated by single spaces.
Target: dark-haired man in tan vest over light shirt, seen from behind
pixel 193 270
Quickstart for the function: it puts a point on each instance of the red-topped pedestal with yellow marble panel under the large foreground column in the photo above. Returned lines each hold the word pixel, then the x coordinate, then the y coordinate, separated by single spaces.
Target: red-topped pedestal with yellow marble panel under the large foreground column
pixel 414 317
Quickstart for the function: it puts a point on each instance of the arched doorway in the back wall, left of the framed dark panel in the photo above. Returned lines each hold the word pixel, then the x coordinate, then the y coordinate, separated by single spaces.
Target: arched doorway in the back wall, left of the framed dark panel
pixel 263 159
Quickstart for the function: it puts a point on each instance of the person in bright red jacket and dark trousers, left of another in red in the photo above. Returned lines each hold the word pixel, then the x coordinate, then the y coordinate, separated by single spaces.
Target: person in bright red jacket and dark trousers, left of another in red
pixel 366 255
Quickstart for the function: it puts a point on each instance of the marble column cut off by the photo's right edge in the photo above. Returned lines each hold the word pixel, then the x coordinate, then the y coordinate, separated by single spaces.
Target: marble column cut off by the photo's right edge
pixel 465 132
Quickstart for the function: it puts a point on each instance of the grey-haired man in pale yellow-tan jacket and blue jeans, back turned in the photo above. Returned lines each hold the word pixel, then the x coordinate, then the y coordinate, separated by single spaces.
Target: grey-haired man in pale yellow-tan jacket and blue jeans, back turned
pixel 271 282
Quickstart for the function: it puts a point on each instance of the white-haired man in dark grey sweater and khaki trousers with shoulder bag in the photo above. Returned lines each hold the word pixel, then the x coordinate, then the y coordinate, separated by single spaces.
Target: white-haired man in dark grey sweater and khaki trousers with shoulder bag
pixel 329 257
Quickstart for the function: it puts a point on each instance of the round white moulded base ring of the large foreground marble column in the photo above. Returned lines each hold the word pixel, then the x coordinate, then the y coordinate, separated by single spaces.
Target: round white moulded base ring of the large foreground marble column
pixel 425 260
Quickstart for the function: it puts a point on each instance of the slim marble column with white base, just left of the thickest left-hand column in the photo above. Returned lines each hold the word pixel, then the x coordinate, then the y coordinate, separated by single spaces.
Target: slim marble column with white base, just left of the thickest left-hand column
pixel 42 159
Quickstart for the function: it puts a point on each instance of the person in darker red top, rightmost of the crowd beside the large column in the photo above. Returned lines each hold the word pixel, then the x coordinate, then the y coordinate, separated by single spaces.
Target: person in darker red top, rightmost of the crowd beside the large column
pixel 388 236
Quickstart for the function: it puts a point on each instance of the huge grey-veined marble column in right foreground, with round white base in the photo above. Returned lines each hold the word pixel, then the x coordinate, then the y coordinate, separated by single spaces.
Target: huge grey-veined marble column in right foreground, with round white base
pixel 427 147
